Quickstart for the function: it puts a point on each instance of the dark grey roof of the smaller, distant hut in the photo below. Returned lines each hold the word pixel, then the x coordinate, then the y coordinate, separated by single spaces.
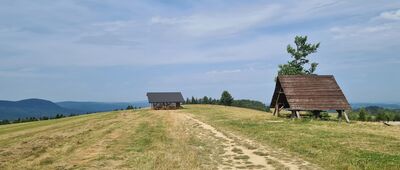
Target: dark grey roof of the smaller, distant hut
pixel 160 97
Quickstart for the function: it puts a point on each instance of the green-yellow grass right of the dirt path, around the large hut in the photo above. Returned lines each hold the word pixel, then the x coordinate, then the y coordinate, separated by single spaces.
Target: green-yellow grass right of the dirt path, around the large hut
pixel 329 144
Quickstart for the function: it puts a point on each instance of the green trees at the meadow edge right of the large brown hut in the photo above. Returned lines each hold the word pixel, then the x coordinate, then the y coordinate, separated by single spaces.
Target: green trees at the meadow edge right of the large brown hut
pixel 375 113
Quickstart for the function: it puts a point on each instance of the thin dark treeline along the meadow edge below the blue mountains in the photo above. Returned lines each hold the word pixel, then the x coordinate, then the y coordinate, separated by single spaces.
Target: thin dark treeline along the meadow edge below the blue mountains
pixel 58 116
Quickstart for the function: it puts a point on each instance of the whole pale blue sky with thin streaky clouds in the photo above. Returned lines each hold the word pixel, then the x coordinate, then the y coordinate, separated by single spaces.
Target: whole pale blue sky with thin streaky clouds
pixel 117 50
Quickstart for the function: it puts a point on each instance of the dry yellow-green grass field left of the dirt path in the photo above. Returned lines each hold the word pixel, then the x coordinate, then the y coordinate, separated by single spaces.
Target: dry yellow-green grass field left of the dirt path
pixel 142 139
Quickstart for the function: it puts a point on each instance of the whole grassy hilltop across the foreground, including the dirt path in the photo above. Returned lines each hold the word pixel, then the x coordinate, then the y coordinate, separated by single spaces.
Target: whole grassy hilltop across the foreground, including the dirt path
pixel 197 137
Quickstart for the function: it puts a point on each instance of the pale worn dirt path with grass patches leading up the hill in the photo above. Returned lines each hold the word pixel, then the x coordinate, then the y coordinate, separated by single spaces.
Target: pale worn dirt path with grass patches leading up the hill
pixel 239 153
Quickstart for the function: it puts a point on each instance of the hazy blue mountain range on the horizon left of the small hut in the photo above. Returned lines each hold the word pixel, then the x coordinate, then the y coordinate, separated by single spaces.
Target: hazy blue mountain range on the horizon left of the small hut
pixel 12 110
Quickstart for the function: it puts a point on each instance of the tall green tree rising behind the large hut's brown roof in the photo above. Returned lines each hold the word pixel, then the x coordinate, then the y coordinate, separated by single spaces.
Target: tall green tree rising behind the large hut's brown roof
pixel 299 55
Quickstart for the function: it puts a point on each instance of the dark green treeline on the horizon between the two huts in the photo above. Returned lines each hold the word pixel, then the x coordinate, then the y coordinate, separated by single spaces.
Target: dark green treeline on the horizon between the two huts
pixel 228 100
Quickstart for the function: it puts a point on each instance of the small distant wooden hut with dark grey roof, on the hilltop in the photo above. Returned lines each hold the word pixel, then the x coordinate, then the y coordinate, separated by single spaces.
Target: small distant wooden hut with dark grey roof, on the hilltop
pixel 165 100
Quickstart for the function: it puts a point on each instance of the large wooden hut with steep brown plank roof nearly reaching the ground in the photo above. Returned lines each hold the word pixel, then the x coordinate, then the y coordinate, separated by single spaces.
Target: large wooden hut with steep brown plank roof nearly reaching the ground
pixel 314 93
